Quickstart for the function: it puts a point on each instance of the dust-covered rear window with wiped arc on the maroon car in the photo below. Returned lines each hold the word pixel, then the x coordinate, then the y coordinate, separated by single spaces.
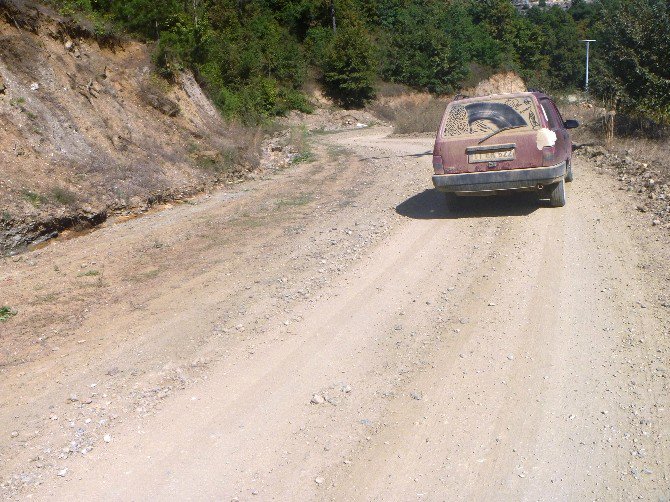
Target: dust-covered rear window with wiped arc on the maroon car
pixel 487 116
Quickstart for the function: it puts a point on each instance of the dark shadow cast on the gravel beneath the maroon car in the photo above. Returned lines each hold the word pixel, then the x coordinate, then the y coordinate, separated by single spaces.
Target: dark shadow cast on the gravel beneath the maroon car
pixel 430 204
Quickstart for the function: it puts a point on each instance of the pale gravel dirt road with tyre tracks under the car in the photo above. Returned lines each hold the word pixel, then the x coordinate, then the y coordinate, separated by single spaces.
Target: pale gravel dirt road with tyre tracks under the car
pixel 333 332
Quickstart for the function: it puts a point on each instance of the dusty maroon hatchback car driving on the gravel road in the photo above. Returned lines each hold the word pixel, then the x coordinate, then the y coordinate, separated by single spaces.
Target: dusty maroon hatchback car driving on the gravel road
pixel 503 142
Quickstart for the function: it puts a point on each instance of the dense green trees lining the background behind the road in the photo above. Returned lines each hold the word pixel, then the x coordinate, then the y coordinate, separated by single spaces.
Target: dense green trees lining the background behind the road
pixel 254 56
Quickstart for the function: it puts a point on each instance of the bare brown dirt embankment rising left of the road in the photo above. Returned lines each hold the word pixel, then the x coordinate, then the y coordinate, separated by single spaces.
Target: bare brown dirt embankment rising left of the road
pixel 89 130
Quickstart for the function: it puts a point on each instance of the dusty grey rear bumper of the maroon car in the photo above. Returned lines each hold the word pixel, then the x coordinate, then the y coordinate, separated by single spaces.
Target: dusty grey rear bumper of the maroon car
pixel 499 180
